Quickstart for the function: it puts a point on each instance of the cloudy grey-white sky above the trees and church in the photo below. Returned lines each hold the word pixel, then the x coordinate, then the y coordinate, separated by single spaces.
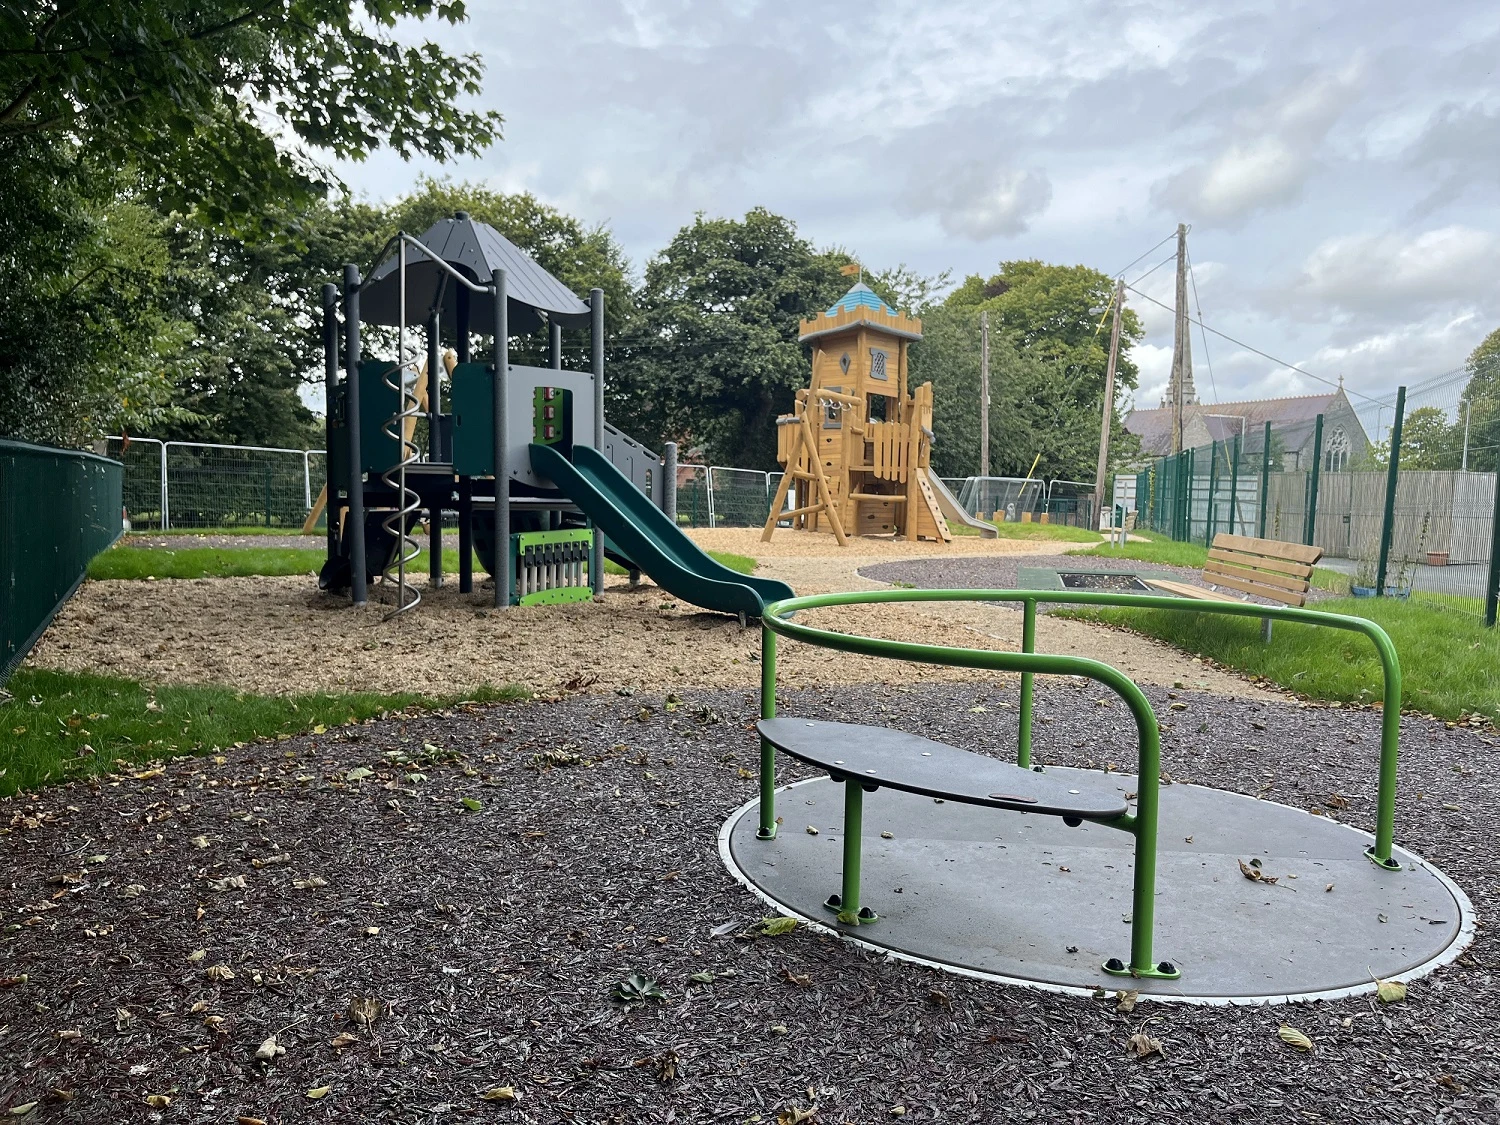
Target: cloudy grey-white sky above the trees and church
pixel 1339 164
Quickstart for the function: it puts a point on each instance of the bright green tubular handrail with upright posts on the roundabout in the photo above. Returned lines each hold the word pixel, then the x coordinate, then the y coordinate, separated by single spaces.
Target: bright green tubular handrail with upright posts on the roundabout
pixel 1030 664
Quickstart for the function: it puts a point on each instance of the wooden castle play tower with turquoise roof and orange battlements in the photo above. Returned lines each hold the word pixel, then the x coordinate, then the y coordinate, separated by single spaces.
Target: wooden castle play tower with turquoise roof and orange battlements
pixel 857 446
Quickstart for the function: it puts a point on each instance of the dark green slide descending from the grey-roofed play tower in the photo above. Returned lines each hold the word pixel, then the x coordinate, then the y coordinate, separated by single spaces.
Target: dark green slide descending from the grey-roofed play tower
pixel 643 532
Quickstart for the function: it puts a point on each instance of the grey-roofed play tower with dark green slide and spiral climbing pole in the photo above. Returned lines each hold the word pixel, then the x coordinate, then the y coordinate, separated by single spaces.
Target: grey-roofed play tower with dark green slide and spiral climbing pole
pixel 544 488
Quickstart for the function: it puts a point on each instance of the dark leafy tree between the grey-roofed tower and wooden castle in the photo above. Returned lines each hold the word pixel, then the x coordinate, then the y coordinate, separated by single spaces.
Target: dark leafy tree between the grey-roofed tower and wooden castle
pixel 713 356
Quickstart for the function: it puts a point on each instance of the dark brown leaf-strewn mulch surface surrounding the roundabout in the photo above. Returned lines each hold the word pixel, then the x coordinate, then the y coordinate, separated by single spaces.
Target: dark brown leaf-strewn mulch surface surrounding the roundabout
pixel 409 914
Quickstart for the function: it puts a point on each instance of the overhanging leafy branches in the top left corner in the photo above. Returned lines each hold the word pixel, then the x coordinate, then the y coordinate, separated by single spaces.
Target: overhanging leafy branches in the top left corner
pixel 182 89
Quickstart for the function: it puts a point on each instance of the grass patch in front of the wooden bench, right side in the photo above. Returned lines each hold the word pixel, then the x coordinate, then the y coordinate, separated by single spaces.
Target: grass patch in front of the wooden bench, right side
pixel 1450 662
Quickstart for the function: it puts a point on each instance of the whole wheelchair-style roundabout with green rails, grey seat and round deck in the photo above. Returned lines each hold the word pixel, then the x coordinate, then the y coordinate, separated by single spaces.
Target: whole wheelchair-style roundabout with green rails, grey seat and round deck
pixel 1252 901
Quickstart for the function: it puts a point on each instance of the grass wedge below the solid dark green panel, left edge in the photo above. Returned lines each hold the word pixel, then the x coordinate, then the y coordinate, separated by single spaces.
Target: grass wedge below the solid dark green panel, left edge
pixel 65 725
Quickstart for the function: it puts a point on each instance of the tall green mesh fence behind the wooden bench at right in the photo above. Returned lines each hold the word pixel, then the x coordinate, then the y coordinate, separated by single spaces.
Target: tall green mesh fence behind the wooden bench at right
pixel 1405 512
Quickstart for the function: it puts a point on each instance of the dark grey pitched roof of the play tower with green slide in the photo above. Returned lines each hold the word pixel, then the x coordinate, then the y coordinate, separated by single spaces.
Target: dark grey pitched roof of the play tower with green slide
pixel 475 250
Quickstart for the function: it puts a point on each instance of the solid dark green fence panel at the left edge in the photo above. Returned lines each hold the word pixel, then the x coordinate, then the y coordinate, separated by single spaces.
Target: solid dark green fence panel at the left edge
pixel 58 511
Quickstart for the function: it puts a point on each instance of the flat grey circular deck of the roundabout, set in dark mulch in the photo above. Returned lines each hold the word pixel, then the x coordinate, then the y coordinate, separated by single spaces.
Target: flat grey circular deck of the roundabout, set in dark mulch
pixel 1027 899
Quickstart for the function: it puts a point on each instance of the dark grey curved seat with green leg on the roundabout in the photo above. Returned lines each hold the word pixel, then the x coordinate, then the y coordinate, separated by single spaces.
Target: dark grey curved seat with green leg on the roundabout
pixel 869 758
